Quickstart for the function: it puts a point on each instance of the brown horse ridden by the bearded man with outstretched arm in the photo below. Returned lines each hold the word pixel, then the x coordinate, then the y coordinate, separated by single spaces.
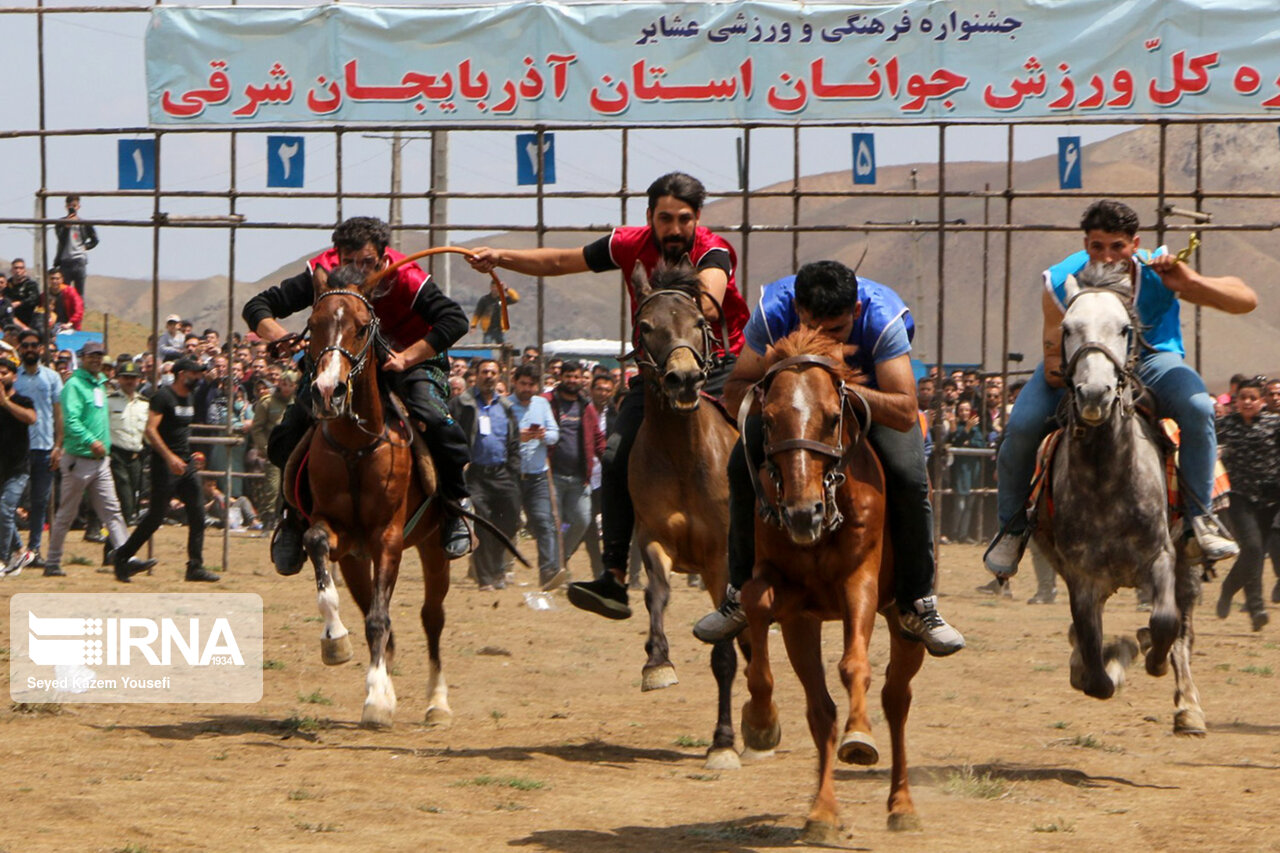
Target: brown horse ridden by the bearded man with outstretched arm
pixel 679 477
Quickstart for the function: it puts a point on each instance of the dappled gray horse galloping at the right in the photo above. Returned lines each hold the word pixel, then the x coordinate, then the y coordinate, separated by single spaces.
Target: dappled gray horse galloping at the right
pixel 1110 526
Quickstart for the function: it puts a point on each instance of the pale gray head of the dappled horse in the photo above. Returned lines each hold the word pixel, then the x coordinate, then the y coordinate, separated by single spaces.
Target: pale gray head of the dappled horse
pixel 1099 337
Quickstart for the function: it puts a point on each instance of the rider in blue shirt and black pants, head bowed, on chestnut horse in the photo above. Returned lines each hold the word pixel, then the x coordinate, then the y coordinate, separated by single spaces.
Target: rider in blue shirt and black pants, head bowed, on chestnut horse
pixel 876 329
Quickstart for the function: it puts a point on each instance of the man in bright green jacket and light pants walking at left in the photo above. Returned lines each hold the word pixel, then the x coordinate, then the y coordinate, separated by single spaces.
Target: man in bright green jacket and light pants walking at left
pixel 86 464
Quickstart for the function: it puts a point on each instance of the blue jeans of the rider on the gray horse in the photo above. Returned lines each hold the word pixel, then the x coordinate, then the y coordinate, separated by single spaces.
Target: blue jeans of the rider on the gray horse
pixel 1180 394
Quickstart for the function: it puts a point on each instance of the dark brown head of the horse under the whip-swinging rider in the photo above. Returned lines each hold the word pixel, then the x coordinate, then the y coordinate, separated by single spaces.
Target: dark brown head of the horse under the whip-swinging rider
pixel 674 340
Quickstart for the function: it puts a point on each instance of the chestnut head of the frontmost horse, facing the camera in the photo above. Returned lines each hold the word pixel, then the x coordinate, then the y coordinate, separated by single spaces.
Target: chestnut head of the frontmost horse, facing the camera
pixel 808 440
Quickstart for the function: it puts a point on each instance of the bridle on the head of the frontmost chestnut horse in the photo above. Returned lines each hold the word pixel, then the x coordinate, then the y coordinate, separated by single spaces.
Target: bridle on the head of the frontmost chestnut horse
pixel 838 455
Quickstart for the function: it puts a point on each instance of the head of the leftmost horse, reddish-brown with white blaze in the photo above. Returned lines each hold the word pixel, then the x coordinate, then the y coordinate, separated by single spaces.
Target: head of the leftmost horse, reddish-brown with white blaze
pixel 342 331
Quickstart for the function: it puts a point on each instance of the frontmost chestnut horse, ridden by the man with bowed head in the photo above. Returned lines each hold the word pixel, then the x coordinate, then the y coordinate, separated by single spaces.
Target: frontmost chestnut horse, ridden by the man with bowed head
pixel 822 555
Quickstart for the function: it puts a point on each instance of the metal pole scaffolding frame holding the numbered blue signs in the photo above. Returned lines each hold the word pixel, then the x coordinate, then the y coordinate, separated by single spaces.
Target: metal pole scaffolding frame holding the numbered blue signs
pixel 1169 203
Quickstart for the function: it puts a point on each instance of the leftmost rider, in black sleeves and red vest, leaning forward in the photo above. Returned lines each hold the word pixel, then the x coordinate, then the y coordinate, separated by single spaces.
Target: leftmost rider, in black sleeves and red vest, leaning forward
pixel 419 325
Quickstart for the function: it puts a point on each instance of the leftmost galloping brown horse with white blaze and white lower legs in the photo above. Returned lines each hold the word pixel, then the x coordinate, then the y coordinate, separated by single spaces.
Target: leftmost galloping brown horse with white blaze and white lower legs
pixel 365 487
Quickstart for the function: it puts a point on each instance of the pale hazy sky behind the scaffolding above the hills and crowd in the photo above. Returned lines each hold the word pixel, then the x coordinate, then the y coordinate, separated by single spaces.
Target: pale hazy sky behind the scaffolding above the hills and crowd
pixel 95 79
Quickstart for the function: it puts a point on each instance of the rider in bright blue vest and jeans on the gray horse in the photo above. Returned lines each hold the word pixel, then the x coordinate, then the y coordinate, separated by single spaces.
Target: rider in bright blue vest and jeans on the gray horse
pixel 1160 281
